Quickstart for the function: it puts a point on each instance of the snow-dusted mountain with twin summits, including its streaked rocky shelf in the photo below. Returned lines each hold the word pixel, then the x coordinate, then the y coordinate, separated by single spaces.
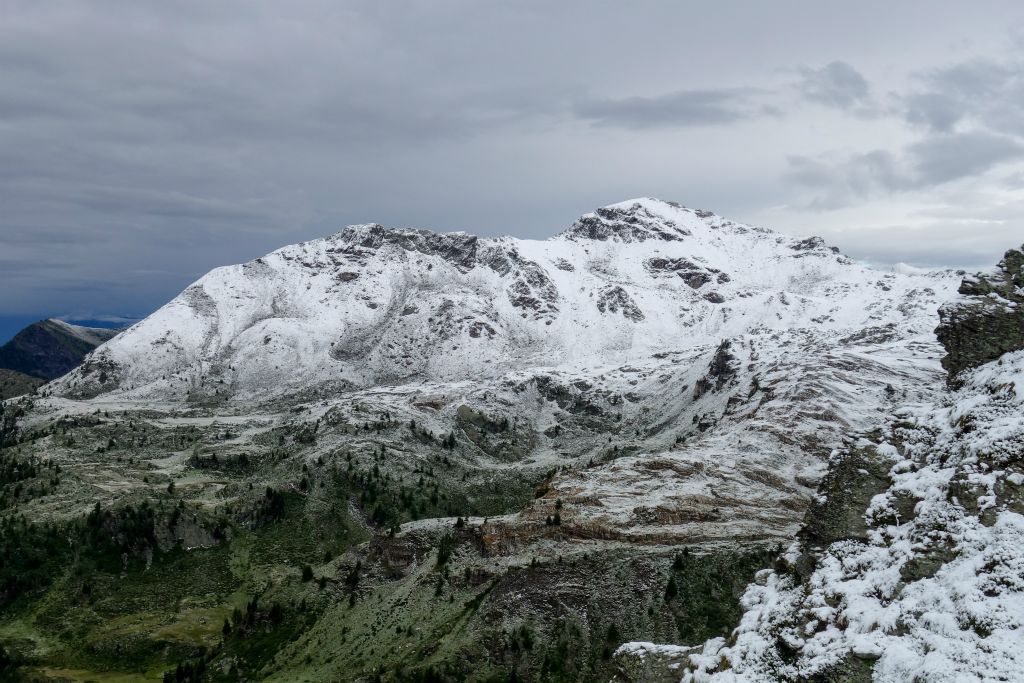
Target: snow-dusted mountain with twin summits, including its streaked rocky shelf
pixel 736 357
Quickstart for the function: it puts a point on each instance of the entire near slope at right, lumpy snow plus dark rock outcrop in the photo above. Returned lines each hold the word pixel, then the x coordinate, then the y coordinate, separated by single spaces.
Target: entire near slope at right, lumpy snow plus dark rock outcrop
pixel 910 565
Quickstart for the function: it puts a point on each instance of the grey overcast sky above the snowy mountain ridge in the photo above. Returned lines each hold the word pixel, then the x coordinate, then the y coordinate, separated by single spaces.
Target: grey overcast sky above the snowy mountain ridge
pixel 143 144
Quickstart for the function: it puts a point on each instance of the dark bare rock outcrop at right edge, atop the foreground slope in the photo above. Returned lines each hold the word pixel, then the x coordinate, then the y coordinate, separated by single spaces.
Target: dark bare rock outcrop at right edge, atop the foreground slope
pixel 989 321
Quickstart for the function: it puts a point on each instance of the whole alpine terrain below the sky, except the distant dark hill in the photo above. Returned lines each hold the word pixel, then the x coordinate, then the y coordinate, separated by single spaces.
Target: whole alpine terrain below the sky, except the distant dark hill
pixel 660 446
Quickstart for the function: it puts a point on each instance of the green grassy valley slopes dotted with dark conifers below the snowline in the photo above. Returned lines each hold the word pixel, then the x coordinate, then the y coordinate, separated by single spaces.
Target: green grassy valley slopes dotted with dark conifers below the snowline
pixel 97 616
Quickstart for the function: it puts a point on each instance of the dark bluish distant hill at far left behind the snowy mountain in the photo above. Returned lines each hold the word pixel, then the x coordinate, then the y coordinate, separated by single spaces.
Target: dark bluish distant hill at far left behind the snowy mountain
pixel 51 349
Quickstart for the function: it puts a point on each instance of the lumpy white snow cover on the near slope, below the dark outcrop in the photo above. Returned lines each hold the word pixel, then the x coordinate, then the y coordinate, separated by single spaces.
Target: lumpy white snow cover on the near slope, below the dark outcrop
pixel 935 591
